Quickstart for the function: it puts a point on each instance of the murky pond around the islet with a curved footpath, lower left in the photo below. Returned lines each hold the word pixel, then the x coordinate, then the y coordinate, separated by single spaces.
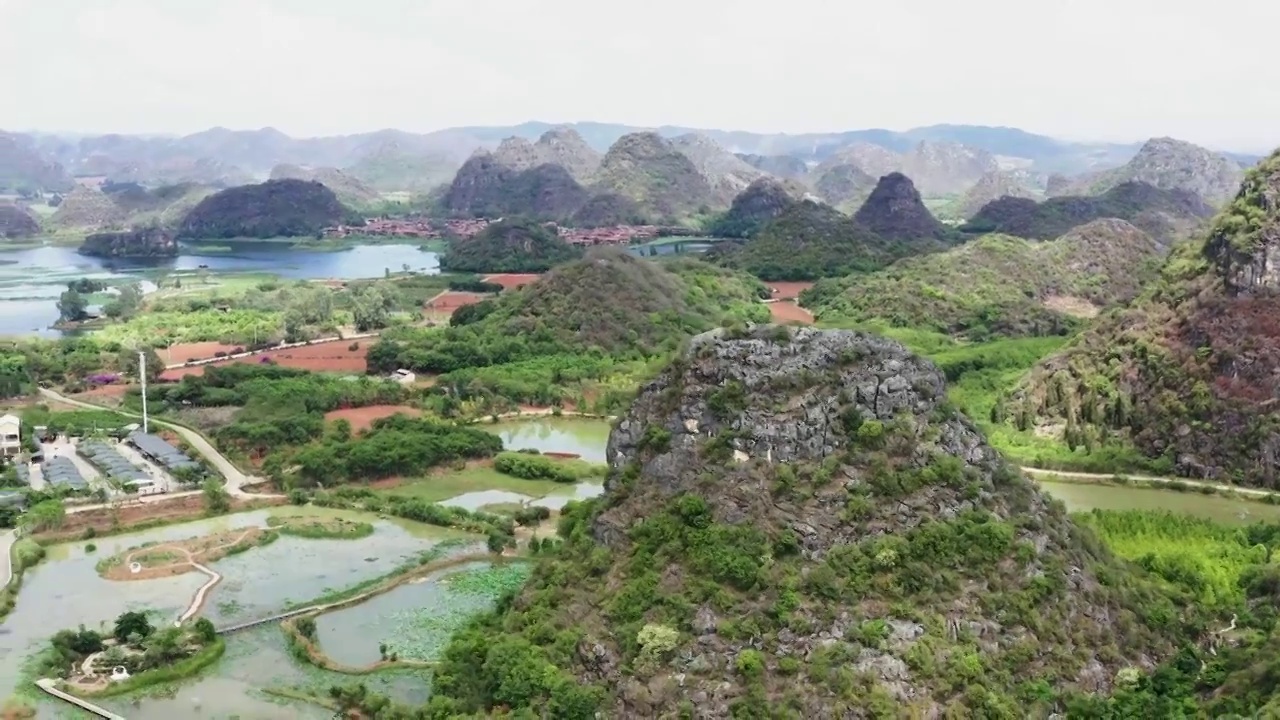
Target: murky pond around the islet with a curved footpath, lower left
pixel 66 590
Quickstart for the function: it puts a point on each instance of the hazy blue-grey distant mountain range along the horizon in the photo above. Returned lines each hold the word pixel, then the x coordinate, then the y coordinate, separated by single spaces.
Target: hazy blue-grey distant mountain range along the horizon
pixel 392 160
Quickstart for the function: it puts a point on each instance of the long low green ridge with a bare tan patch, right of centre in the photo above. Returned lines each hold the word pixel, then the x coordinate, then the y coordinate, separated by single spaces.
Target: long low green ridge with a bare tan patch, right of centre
pixel 999 285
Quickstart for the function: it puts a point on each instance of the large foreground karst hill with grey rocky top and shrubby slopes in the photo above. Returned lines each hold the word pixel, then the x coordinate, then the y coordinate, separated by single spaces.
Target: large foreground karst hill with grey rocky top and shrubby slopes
pixel 787 508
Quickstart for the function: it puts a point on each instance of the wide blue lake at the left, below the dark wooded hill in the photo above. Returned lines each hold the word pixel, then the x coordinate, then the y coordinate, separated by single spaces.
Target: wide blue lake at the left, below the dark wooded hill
pixel 31 280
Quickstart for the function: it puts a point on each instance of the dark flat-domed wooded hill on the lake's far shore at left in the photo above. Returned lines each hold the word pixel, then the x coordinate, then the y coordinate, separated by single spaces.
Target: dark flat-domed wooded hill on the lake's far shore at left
pixel 280 208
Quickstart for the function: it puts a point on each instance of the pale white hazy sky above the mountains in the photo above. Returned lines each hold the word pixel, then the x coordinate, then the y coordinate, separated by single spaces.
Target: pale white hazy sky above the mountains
pixel 1098 70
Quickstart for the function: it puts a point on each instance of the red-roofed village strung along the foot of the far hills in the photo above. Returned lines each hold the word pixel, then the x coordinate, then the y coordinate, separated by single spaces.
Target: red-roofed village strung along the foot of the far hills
pixel 431 229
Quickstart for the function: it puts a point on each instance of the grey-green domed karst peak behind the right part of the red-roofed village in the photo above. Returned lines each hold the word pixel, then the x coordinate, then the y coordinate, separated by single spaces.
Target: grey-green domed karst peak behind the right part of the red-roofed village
pixel 652 172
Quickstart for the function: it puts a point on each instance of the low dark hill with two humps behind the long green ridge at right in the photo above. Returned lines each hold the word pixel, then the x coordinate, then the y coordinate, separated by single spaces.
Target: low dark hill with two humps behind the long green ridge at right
pixel 1165 215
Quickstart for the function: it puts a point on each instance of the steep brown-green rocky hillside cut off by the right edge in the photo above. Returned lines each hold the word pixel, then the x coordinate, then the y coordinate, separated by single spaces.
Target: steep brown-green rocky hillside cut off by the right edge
pixel 1190 372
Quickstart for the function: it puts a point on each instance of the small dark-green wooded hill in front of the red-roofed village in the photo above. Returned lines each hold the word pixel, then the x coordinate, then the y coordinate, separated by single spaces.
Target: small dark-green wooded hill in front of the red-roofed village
pixel 510 247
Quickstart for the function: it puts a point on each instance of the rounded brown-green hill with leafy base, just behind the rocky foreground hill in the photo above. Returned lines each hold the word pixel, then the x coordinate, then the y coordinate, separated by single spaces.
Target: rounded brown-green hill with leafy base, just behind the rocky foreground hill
pixel 586 322
